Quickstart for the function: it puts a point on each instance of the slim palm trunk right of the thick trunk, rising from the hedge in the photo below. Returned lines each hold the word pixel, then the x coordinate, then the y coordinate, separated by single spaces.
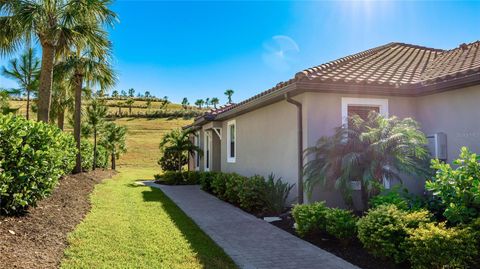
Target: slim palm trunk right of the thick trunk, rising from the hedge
pixel 78 80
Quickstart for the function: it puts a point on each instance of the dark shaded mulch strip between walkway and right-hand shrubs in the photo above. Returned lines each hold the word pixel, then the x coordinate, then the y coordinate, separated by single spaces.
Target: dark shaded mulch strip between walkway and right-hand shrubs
pixel 353 252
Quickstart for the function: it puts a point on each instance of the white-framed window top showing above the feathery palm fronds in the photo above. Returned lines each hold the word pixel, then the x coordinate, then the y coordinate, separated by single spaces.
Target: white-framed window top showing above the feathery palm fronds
pixel 362 106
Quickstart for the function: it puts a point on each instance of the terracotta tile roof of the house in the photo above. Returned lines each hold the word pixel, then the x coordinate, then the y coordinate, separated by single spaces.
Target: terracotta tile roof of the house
pixel 394 66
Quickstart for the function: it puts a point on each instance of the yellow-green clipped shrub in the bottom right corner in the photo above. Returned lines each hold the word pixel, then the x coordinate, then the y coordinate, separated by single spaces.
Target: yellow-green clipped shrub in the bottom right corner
pixel 435 246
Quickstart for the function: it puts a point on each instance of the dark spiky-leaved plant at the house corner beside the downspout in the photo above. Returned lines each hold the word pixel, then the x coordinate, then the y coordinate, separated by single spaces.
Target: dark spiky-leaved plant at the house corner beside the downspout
pixel 276 194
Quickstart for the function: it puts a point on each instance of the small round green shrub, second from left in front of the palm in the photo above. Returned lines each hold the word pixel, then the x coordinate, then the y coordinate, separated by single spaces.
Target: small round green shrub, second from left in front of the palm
pixel 342 224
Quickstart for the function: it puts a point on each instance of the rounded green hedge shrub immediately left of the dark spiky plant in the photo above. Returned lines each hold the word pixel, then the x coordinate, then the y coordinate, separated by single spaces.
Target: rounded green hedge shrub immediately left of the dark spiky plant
pixel 252 194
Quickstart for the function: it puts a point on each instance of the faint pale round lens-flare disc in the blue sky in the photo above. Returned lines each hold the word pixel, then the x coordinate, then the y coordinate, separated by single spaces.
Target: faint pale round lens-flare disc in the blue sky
pixel 279 52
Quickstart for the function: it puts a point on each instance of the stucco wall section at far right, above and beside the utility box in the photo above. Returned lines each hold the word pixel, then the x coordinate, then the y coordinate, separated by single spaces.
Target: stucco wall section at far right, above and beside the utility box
pixel 456 113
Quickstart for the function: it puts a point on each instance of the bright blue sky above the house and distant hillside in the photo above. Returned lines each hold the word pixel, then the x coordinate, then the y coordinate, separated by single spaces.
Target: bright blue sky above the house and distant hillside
pixel 198 49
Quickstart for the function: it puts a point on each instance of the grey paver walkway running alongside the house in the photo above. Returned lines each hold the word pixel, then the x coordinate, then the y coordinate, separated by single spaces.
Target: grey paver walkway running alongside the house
pixel 251 242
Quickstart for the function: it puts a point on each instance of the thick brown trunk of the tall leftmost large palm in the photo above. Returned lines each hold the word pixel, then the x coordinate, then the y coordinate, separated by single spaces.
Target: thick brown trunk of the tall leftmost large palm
pixel 46 77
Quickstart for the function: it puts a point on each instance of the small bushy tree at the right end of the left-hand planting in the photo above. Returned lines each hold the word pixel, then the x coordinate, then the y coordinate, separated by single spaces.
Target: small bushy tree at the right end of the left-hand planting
pixel 113 139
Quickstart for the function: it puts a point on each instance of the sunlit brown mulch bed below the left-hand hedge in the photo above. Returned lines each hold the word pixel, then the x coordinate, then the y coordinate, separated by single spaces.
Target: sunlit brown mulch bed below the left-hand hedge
pixel 38 238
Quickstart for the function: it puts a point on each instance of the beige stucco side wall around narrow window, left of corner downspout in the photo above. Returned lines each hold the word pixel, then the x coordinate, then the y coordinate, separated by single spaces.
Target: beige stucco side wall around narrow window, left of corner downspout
pixel 266 143
